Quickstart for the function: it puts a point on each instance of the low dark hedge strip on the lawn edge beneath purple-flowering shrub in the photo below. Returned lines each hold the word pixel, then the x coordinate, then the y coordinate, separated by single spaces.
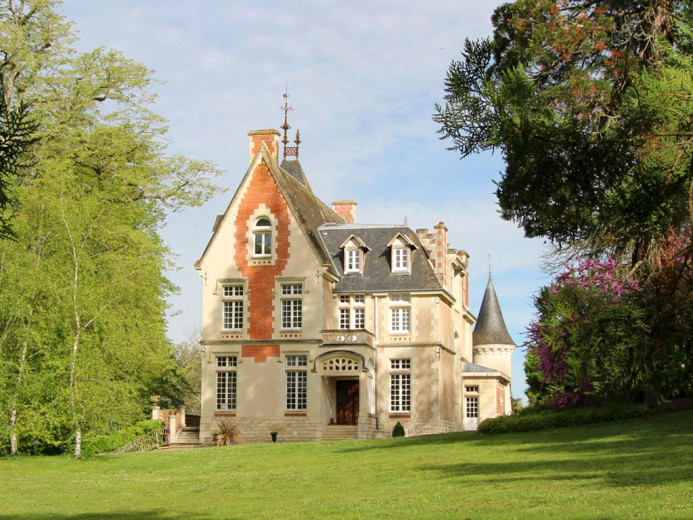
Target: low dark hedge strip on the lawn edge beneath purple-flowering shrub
pixel 543 419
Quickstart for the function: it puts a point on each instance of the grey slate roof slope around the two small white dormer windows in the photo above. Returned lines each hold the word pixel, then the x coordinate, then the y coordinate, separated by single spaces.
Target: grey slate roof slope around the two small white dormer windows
pixel 377 272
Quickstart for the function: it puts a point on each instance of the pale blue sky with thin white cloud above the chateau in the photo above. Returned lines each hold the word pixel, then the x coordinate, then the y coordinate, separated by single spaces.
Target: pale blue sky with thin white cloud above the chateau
pixel 363 78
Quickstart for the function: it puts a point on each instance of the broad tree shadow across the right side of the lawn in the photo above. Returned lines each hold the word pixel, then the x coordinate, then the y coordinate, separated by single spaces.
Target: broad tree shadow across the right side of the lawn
pixel 634 452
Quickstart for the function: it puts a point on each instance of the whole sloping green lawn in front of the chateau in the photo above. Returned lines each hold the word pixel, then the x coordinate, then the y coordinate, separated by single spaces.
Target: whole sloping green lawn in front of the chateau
pixel 638 468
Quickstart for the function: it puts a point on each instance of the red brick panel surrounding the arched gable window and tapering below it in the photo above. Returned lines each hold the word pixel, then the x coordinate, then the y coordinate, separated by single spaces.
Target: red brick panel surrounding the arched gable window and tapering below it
pixel 262 190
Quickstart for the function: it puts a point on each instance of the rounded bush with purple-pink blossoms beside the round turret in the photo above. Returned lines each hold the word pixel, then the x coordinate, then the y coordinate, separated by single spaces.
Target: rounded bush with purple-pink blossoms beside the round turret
pixel 581 345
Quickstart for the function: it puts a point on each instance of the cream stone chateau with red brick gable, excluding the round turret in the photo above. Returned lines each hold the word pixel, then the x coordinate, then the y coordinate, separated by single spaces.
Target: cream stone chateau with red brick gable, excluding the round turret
pixel 312 320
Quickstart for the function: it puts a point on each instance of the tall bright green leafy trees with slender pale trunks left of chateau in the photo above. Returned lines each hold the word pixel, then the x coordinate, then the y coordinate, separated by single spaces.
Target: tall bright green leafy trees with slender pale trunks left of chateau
pixel 82 306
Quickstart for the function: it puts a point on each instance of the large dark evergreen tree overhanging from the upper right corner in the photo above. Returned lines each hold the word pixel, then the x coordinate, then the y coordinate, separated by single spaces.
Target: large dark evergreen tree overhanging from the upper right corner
pixel 591 104
